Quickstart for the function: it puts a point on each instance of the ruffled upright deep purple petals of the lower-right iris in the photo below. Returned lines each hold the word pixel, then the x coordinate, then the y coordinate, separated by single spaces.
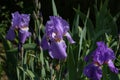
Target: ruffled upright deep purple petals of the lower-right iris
pixel 102 54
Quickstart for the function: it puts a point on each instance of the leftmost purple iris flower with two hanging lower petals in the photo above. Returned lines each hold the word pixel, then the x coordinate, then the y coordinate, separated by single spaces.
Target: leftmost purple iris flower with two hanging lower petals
pixel 20 22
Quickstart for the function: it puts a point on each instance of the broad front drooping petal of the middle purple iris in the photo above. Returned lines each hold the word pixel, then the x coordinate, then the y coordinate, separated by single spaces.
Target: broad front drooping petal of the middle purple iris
pixel 58 50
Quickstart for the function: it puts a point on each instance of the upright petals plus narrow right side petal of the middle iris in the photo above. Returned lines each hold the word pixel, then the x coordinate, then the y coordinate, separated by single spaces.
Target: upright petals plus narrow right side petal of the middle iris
pixel 58 26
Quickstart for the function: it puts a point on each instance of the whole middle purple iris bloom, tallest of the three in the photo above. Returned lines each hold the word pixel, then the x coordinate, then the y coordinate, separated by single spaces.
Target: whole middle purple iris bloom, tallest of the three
pixel 55 29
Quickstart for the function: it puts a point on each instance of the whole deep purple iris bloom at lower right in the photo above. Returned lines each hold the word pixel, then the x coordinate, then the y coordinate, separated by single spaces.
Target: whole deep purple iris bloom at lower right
pixel 102 55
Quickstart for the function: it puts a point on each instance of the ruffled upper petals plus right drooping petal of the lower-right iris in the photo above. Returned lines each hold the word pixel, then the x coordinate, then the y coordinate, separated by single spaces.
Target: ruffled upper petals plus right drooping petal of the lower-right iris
pixel 104 55
